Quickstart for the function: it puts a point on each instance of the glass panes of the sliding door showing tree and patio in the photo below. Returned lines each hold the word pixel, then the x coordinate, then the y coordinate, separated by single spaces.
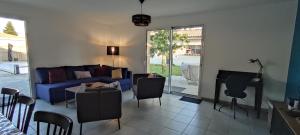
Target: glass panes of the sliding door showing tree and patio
pixel 176 54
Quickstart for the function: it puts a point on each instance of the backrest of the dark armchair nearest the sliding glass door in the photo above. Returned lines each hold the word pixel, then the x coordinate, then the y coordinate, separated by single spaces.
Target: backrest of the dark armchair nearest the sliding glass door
pixel 150 87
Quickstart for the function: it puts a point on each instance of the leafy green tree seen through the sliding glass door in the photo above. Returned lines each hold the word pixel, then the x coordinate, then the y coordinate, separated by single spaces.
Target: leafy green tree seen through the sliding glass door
pixel 160 45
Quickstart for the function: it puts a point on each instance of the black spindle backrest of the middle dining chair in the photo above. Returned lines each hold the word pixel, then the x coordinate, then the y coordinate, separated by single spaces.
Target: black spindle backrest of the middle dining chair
pixel 25 106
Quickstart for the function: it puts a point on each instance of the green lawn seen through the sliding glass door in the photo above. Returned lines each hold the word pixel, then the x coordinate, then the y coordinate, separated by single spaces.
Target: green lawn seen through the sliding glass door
pixel 156 68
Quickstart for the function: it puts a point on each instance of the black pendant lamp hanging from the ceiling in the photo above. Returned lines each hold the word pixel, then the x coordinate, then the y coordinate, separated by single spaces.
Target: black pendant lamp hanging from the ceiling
pixel 141 19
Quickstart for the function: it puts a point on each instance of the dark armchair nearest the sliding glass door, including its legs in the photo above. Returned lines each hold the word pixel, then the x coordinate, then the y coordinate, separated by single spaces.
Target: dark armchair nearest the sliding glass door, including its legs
pixel 148 87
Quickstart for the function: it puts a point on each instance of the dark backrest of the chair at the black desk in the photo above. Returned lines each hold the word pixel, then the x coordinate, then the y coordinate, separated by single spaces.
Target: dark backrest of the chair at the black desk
pixel 237 84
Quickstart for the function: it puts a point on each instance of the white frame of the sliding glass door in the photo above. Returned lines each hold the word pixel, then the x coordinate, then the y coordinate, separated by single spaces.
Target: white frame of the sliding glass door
pixel 171 30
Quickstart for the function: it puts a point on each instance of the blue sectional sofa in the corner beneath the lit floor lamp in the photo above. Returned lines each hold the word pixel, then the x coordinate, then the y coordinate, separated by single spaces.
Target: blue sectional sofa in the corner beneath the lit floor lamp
pixel 55 92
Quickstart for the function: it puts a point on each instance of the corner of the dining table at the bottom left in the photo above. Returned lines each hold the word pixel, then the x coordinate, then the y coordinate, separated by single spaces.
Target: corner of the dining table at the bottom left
pixel 7 127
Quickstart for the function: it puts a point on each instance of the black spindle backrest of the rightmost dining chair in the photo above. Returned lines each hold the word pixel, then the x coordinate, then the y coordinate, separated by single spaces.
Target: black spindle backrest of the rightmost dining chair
pixel 64 123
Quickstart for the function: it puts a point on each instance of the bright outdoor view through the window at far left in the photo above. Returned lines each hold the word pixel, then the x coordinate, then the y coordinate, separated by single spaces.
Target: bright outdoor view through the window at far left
pixel 13 55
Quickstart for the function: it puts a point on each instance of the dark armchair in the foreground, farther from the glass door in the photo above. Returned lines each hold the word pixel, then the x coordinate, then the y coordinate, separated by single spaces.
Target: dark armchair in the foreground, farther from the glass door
pixel 95 105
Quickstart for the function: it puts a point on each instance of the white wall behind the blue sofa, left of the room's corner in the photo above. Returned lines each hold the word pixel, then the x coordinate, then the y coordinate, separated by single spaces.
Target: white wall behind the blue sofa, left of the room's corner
pixel 57 39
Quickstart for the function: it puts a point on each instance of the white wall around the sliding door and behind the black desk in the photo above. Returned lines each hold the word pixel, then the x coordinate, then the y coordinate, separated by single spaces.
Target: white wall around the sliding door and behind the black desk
pixel 231 38
